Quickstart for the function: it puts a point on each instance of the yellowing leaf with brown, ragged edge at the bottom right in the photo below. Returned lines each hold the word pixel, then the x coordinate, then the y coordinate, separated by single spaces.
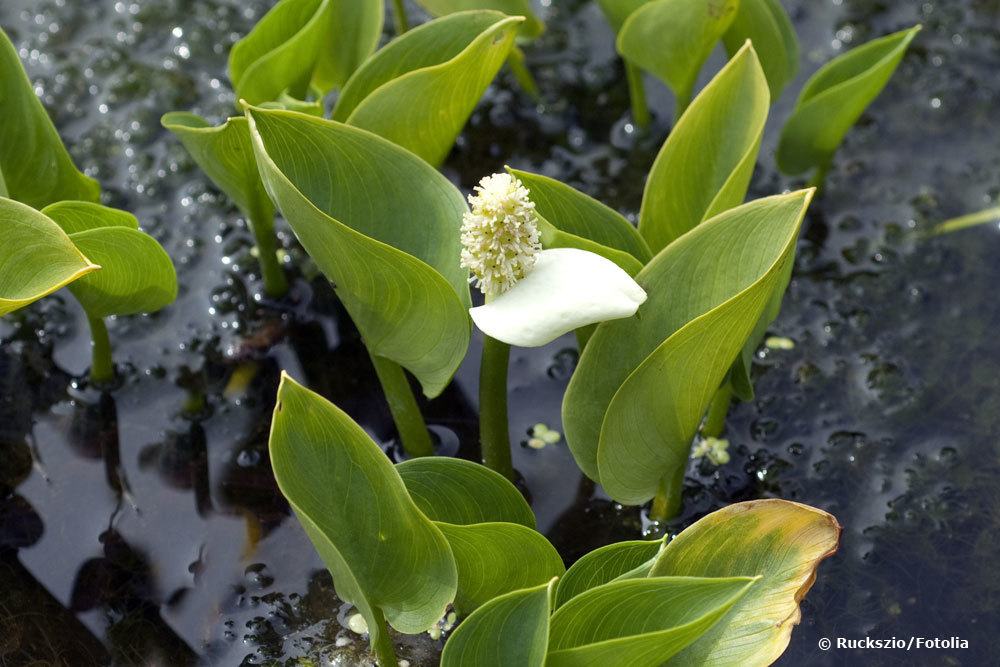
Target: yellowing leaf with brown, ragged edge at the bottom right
pixel 780 541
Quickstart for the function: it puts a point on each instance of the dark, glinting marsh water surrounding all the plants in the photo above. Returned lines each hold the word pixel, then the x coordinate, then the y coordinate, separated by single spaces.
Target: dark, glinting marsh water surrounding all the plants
pixel 142 525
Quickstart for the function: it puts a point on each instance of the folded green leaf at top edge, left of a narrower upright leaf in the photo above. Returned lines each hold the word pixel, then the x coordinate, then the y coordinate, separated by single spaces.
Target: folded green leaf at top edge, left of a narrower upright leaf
pixel 281 52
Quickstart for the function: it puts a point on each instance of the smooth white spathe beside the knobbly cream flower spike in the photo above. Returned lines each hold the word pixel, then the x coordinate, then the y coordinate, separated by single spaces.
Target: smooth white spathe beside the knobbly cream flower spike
pixel 566 289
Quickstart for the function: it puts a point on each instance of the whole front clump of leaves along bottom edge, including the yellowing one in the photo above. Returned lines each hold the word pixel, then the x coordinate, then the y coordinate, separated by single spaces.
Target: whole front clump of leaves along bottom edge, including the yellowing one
pixel 729 585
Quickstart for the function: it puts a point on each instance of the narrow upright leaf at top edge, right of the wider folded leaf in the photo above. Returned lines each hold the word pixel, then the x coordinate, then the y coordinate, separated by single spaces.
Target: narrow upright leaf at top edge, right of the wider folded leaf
pixel 355 29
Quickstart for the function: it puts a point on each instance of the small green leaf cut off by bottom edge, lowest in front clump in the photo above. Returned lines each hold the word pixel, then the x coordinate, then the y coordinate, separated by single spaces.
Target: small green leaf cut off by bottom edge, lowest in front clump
pixel 511 630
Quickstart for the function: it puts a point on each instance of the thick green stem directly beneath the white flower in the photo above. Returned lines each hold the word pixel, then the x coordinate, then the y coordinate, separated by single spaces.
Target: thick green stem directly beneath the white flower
pixel 494 431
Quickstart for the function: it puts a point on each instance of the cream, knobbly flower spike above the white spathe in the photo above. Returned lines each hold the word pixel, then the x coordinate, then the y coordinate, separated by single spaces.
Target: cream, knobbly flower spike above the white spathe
pixel 500 234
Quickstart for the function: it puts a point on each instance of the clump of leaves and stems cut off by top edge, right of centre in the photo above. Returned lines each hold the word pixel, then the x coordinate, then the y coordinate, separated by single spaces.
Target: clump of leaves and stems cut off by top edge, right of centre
pixel 672 39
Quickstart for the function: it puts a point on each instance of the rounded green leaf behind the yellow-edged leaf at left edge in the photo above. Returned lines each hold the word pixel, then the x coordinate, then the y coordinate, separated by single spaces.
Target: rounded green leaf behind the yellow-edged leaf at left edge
pixel 136 273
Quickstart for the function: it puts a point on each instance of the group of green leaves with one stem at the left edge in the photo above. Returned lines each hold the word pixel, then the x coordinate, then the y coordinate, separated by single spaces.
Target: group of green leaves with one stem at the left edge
pixel 110 266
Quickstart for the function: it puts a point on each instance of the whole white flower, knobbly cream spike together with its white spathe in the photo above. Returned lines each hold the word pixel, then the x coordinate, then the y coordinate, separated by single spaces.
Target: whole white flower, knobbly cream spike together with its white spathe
pixel 533 295
